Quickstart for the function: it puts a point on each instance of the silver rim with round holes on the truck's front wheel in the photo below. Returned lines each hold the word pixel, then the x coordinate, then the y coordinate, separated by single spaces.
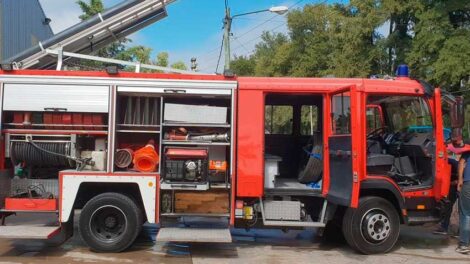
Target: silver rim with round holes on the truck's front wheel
pixel 375 226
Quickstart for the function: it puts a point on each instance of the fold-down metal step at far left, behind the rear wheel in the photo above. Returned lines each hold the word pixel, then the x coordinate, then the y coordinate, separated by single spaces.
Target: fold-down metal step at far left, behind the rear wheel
pixel 29 231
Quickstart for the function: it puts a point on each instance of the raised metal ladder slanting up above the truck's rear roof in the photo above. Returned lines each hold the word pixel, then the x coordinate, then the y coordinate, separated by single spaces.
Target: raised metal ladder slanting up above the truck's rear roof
pixel 94 33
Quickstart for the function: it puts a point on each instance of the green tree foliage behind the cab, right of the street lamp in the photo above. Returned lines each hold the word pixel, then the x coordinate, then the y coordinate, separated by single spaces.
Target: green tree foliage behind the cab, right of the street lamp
pixel 367 37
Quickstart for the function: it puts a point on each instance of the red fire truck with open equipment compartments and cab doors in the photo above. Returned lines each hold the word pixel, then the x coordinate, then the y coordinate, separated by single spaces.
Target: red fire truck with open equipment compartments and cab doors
pixel 200 154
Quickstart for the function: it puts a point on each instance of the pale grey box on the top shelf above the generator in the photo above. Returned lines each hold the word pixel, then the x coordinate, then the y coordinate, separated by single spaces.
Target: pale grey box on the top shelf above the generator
pixel 185 113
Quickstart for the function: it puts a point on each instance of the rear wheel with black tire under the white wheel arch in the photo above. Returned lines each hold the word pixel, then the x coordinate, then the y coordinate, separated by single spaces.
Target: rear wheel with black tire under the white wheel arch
pixel 110 222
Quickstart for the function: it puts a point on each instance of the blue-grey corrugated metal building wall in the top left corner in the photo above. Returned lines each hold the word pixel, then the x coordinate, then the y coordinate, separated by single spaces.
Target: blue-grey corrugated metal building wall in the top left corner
pixel 21 26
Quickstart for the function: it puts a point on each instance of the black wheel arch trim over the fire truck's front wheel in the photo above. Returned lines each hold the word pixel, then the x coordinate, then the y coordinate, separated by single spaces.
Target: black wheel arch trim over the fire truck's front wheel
pixel 387 190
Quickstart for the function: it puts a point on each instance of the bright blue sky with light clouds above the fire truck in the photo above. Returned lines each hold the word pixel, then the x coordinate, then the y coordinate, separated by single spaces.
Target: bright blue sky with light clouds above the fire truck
pixel 193 28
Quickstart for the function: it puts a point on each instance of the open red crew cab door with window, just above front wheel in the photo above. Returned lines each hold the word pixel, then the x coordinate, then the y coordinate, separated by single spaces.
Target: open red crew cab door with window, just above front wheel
pixel 343 129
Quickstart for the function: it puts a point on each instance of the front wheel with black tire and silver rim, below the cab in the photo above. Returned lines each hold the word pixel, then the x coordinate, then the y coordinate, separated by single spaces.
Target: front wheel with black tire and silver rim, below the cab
pixel 373 227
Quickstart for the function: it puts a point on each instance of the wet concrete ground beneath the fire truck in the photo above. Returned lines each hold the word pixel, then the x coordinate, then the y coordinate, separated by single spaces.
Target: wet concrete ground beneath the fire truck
pixel 416 245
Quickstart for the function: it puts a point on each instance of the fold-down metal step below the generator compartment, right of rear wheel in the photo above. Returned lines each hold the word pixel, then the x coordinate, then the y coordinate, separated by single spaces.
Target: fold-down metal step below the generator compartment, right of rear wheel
pixel 186 234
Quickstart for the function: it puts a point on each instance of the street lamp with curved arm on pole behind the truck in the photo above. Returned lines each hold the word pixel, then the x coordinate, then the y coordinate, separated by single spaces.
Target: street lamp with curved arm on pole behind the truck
pixel 280 10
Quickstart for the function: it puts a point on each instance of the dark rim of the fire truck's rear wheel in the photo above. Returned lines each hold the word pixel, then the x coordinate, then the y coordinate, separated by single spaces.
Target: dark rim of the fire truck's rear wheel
pixel 108 224
